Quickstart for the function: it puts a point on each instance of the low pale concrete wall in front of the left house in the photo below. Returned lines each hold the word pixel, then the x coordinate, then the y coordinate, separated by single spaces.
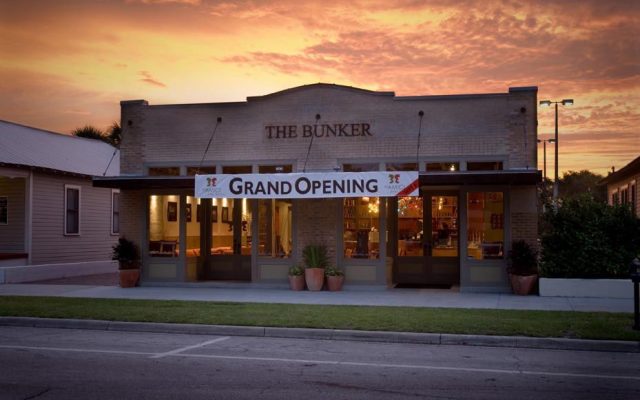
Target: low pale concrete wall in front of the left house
pixel 31 273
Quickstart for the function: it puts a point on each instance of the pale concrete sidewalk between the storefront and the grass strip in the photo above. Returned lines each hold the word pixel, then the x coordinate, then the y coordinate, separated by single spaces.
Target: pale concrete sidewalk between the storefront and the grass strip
pixel 368 296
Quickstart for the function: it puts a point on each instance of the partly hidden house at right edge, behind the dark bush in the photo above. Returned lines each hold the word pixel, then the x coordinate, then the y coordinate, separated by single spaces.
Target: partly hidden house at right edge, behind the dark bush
pixel 622 186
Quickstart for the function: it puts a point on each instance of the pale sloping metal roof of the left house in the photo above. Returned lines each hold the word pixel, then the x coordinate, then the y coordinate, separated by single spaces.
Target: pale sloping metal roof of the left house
pixel 24 146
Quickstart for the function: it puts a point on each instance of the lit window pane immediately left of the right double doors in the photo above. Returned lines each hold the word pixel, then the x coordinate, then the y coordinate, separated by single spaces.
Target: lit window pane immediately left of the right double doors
pixel 361 237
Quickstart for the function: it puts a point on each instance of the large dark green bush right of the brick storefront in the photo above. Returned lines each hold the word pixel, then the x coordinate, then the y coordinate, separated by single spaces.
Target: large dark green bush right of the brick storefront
pixel 586 238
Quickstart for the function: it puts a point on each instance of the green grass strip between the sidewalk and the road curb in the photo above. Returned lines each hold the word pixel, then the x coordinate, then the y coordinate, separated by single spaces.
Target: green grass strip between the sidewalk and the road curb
pixel 584 325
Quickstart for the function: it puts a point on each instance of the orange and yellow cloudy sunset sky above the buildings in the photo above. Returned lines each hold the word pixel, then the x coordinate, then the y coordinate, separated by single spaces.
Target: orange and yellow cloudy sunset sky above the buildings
pixel 65 63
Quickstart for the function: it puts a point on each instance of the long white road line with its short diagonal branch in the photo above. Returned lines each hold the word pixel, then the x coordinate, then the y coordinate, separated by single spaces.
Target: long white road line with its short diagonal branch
pixel 177 353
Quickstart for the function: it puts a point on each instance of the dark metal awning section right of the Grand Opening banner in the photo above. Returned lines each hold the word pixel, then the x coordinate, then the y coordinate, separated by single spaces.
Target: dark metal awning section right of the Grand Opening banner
pixel 519 177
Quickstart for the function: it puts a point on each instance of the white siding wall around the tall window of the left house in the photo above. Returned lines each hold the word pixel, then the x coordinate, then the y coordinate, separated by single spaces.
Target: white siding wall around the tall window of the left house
pixel 50 245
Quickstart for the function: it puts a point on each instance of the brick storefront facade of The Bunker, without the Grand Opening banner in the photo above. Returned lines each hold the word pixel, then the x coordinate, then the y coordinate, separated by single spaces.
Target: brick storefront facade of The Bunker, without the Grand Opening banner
pixel 475 154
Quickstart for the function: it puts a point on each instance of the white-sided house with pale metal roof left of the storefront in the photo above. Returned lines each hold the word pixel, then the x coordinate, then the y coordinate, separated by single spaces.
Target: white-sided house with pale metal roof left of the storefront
pixel 49 211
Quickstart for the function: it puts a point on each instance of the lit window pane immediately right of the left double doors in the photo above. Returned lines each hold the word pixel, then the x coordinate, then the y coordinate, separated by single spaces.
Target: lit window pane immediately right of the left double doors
pixel 275 239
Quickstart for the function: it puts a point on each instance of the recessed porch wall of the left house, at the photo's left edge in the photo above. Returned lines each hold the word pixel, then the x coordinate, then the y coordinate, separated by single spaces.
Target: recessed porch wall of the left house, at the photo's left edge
pixel 12 234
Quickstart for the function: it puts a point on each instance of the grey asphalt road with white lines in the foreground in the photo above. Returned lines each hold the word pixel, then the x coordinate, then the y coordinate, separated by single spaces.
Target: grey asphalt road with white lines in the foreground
pixel 40 363
